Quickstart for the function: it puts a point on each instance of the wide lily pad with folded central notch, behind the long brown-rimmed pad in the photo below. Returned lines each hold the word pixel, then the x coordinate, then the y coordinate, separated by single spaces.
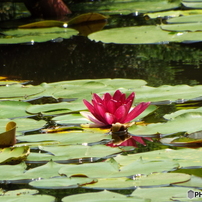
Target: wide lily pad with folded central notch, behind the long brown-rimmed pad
pixel 111 168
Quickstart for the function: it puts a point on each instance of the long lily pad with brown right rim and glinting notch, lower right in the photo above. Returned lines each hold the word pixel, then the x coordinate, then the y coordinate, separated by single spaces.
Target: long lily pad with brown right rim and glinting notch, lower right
pixel 156 179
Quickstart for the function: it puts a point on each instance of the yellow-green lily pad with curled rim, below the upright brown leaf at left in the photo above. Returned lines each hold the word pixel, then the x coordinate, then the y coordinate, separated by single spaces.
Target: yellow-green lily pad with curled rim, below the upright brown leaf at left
pixel 15 154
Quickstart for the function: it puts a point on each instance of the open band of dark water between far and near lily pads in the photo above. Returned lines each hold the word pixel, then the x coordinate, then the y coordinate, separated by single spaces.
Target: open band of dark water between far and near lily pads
pixel 80 58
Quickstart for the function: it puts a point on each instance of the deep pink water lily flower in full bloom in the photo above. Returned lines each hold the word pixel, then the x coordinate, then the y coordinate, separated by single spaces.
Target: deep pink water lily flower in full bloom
pixel 110 109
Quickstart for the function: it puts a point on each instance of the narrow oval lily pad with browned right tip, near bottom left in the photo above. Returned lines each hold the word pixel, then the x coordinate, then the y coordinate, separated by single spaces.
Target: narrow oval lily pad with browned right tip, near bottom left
pixel 62 182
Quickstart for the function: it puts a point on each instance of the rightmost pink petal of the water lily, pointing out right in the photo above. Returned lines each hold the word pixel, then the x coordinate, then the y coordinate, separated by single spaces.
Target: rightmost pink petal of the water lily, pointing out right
pixel 136 111
